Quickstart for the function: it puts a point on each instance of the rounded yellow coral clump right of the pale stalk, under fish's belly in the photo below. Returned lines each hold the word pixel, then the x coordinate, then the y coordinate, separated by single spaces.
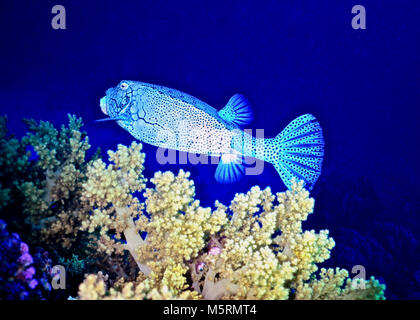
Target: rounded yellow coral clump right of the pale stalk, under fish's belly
pixel 178 227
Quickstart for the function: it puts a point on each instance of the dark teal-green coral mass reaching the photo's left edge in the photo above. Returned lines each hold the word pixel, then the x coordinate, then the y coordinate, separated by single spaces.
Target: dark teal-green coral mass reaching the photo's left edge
pixel 50 185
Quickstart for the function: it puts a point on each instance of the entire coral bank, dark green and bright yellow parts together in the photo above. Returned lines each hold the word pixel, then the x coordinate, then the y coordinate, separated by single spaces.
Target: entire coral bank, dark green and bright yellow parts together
pixel 154 241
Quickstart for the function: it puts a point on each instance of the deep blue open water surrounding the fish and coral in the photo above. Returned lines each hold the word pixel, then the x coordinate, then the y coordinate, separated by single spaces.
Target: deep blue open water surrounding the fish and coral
pixel 287 58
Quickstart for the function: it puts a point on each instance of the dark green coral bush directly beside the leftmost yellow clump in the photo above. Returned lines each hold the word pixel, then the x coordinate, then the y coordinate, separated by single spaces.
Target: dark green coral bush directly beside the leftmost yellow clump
pixel 52 202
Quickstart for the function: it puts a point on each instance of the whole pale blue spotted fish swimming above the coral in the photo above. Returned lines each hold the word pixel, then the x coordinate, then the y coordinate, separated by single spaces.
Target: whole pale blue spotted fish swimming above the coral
pixel 169 118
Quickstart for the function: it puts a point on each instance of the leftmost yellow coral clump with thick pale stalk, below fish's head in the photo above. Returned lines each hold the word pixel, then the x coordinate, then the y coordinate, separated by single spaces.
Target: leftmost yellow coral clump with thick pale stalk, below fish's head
pixel 109 190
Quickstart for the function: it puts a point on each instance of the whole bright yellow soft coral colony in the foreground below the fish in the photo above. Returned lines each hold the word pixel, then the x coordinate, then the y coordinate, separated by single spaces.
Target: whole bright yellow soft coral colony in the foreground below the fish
pixel 194 252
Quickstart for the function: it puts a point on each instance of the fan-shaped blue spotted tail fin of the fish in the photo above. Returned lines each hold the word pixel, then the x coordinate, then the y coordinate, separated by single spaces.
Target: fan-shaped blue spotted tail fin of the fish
pixel 299 151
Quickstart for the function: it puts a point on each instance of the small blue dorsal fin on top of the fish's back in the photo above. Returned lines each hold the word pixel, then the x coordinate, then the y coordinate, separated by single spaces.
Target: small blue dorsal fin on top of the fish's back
pixel 237 111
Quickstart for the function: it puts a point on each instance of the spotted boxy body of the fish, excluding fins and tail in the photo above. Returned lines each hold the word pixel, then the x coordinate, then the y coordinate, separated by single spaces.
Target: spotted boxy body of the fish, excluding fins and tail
pixel 167 117
